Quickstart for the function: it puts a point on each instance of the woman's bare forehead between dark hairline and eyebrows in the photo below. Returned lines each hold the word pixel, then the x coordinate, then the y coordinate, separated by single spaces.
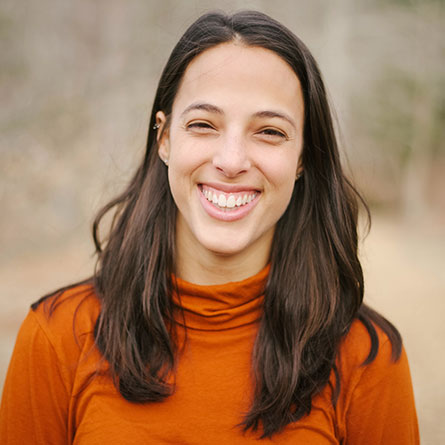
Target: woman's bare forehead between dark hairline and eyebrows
pixel 236 74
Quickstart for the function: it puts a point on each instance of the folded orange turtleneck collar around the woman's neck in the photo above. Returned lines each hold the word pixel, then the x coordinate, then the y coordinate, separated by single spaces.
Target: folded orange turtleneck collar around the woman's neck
pixel 222 306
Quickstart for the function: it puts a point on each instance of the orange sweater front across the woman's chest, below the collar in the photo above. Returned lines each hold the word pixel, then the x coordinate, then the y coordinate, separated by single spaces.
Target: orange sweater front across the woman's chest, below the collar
pixel 213 391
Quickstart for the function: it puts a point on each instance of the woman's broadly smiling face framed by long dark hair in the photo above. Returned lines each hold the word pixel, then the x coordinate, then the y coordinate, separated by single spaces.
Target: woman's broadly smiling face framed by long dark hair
pixel 233 147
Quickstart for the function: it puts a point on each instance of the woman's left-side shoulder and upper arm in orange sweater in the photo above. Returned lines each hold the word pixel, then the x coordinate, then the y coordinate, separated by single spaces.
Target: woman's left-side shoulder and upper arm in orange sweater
pixel 53 359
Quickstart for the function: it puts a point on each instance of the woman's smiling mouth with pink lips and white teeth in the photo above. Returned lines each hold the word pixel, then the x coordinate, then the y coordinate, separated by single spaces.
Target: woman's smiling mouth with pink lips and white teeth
pixel 228 205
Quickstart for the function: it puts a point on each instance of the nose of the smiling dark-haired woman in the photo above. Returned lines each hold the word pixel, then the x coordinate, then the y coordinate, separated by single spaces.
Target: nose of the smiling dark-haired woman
pixel 231 157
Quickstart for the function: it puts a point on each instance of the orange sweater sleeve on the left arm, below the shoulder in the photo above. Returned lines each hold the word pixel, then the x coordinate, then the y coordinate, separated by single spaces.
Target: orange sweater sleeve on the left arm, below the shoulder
pixel 34 408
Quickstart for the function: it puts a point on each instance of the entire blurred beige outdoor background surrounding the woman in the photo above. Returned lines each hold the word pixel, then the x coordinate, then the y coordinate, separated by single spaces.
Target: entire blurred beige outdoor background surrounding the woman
pixel 76 86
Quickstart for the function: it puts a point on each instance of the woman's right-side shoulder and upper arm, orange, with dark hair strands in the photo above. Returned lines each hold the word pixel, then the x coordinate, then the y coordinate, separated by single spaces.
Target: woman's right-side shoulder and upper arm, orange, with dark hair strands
pixel 376 401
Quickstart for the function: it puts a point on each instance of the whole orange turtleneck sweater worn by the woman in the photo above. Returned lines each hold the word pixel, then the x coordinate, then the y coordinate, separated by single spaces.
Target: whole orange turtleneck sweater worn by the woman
pixel 50 396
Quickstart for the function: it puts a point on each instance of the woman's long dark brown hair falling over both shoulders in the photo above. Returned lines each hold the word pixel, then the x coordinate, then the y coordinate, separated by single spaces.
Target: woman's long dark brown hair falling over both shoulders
pixel 315 286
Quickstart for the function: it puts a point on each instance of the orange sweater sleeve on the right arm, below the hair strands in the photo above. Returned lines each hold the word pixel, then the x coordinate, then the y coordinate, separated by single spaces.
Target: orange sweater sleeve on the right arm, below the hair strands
pixel 382 409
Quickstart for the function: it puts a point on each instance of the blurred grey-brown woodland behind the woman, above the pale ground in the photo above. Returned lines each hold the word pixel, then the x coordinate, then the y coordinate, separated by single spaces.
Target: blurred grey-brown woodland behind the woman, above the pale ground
pixel 77 80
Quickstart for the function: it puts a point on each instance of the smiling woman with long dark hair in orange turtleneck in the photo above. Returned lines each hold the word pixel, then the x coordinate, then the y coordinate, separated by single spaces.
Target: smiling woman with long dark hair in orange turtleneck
pixel 227 302
